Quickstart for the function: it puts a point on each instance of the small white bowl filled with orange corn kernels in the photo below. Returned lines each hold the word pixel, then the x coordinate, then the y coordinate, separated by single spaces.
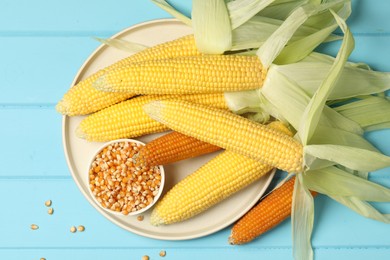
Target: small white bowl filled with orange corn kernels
pixel 118 185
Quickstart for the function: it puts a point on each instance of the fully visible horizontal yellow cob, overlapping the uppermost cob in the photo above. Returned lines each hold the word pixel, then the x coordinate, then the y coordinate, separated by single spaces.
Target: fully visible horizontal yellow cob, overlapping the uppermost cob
pixel 185 75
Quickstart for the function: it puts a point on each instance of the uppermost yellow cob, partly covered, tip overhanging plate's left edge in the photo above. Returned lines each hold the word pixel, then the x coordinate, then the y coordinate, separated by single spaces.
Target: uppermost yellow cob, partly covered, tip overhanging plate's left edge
pixel 83 99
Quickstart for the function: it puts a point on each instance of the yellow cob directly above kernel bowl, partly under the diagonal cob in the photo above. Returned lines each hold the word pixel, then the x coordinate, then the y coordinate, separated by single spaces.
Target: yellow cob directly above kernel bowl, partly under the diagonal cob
pixel 127 119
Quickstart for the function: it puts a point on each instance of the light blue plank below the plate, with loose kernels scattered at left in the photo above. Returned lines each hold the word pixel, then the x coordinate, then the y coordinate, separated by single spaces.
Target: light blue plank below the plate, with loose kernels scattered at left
pixel 71 208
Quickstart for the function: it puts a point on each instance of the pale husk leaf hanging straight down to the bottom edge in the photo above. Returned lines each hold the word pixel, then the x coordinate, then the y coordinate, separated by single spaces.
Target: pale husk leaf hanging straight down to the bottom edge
pixel 302 218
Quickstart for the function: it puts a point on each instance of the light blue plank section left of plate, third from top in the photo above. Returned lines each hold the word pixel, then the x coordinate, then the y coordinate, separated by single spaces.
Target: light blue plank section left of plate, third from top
pixel 32 142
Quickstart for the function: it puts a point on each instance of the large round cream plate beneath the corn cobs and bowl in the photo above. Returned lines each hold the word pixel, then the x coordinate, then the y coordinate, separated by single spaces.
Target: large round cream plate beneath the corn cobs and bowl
pixel 78 152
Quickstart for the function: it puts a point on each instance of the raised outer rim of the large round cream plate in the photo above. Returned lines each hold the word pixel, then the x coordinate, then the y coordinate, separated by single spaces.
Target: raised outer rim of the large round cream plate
pixel 65 140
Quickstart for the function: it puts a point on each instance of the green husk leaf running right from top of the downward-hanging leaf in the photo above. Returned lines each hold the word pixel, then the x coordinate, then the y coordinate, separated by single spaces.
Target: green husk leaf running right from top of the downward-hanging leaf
pixel 333 181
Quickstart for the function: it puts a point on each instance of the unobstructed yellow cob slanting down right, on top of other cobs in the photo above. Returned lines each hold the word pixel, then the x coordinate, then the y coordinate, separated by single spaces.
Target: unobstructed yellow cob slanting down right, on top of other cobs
pixel 229 131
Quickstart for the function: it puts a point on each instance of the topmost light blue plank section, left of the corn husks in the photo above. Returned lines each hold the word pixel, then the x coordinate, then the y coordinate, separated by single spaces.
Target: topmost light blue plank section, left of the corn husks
pixel 73 17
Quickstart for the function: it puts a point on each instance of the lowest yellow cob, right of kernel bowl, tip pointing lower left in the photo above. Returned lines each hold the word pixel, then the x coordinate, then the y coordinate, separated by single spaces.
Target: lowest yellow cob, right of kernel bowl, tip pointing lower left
pixel 221 177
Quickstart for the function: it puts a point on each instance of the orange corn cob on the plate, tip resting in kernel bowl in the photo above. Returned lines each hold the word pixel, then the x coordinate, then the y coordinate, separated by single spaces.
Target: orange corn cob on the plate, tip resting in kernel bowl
pixel 172 147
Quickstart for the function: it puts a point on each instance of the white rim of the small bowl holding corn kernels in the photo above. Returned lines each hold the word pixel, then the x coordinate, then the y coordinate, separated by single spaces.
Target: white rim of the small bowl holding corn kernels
pixel 155 198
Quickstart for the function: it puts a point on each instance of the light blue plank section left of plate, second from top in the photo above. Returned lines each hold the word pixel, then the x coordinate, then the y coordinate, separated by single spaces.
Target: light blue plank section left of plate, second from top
pixel 39 70
